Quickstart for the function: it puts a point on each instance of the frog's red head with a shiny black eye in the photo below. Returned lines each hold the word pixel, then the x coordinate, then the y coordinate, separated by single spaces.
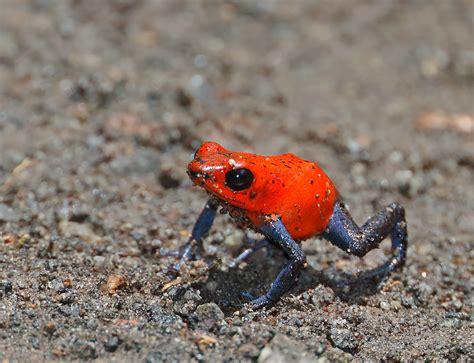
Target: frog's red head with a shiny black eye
pixel 228 175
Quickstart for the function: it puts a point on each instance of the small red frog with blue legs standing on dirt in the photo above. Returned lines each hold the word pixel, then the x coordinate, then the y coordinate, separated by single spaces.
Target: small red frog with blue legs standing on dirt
pixel 286 199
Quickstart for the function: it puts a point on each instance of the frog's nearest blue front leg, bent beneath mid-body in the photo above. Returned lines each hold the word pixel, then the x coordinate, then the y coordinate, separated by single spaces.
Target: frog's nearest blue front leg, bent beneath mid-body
pixel 277 233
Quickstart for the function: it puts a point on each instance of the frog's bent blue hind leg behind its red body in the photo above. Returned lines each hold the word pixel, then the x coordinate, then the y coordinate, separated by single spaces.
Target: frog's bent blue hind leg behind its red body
pixel 344 233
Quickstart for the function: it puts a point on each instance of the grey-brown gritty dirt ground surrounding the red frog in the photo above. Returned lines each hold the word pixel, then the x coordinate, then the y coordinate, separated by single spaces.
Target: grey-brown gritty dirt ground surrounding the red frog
pixel 101 106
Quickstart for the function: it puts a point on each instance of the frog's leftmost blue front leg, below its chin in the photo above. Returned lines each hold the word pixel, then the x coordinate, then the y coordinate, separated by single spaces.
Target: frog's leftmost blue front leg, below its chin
pixel 193 248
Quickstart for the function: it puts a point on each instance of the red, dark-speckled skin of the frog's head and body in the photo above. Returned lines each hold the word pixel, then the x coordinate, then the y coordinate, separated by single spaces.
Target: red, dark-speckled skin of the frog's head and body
pixel 297 190
